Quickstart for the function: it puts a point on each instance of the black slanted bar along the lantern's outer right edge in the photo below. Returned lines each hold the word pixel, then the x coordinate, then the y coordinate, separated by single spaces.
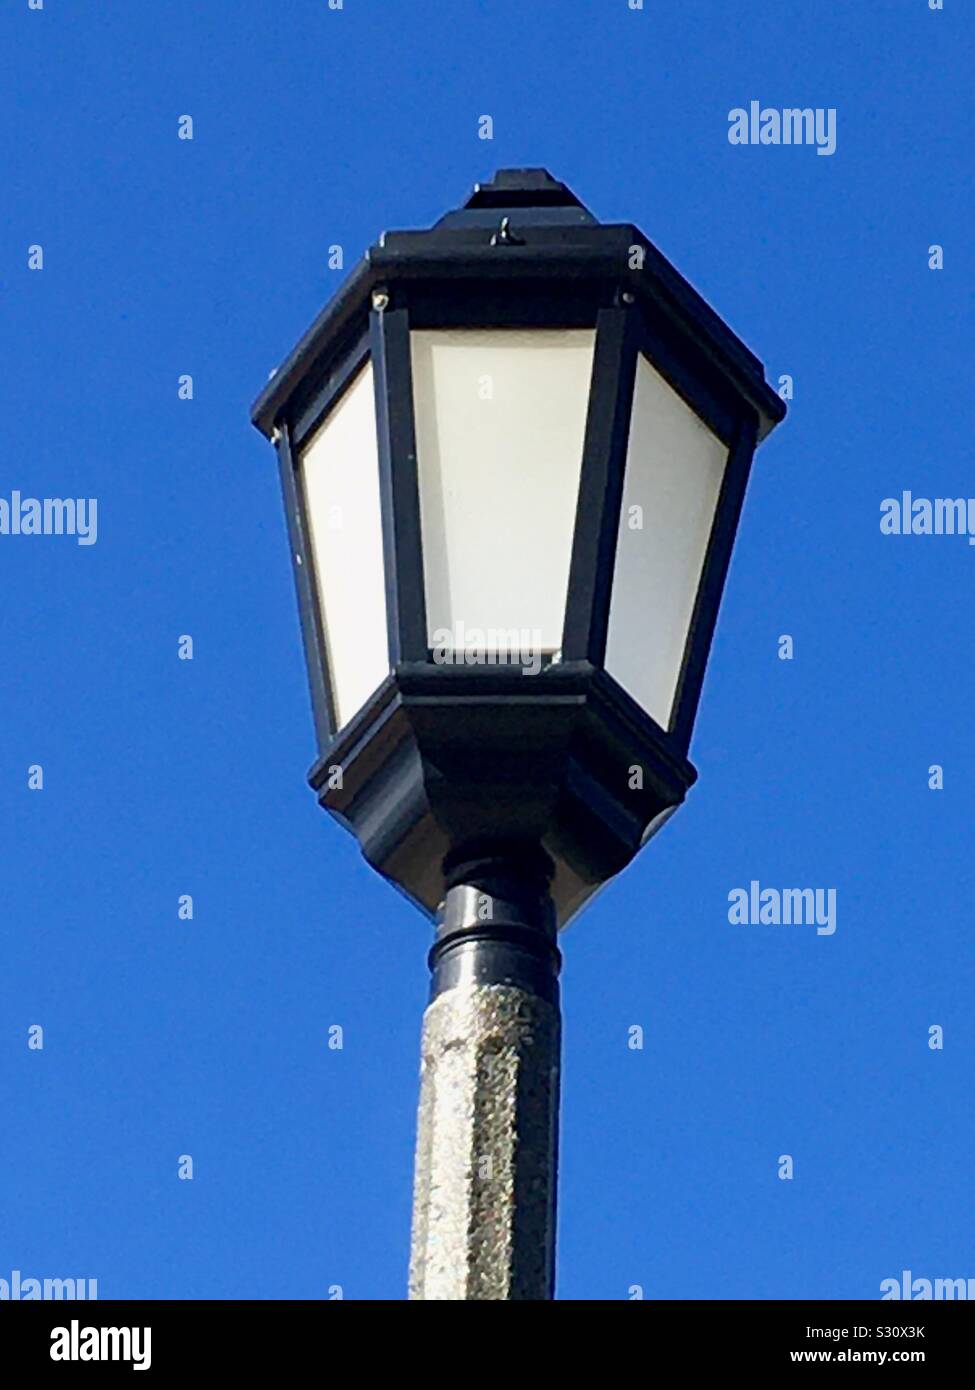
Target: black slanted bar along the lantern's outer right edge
pixel 713 579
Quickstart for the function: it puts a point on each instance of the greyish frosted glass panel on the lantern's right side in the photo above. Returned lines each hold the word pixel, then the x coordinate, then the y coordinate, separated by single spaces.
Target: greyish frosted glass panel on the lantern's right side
pixel 674 475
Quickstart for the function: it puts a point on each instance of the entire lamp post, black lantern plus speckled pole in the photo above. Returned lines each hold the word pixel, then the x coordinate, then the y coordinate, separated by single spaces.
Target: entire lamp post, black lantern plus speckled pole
pixel 514 451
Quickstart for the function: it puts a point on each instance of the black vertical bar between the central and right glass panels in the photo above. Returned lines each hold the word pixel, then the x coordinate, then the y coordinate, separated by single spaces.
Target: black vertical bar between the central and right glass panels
pixel 602 487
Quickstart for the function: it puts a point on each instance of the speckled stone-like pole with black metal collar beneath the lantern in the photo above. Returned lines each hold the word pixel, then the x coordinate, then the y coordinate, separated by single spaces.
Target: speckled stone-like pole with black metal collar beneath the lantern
pixel 487 1132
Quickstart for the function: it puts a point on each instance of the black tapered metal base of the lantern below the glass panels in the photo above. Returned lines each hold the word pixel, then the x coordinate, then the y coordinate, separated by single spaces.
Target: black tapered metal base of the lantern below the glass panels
pixel 447 758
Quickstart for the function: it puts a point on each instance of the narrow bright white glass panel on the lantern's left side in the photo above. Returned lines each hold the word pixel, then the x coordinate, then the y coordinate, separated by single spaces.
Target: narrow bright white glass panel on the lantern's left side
pixel 341 477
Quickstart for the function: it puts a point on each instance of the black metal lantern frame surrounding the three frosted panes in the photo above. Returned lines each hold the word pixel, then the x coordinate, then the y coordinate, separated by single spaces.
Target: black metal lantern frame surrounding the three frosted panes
pixel 443 762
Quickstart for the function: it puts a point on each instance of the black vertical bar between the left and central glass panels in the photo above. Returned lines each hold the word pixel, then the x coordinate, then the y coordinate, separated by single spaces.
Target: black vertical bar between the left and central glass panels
pixel 400 493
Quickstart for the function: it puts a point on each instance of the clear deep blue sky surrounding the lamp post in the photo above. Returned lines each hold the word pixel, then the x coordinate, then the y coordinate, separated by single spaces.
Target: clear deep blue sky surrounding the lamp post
pixel 166 778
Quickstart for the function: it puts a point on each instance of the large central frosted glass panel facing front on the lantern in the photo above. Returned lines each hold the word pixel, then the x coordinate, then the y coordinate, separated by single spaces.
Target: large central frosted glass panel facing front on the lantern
pixel 500 426
